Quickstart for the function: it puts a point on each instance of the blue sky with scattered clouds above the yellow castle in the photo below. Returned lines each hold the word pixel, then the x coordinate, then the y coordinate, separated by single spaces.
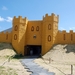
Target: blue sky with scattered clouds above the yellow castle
pixel 36 9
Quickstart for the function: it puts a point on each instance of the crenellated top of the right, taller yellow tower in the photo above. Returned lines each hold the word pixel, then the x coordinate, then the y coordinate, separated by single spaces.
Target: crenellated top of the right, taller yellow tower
pixel 51 17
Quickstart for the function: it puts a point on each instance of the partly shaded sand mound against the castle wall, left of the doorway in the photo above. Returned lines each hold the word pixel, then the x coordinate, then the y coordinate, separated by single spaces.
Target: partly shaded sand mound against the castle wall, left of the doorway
pixel 6 49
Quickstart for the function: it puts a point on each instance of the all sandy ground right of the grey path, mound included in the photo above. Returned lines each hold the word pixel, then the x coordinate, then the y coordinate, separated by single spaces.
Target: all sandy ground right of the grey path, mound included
pixel 59 59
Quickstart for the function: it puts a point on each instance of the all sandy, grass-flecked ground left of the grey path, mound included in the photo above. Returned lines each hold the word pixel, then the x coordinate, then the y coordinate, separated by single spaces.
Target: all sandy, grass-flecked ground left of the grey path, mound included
pixel 12 66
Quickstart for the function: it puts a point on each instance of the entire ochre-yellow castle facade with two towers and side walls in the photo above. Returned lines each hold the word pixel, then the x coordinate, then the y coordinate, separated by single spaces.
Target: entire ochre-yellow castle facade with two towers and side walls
pixel 36 37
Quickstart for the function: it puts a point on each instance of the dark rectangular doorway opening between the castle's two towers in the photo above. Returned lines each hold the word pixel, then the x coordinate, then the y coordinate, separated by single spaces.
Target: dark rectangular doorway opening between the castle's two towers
pixel 33 50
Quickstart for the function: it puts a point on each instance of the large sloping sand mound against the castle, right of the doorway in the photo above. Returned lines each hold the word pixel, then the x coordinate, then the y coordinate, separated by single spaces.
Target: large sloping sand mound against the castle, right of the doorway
pixel 61 53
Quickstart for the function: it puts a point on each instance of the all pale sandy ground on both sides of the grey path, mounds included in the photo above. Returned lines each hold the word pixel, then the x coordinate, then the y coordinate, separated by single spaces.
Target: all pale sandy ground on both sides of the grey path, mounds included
pixel 58 60
